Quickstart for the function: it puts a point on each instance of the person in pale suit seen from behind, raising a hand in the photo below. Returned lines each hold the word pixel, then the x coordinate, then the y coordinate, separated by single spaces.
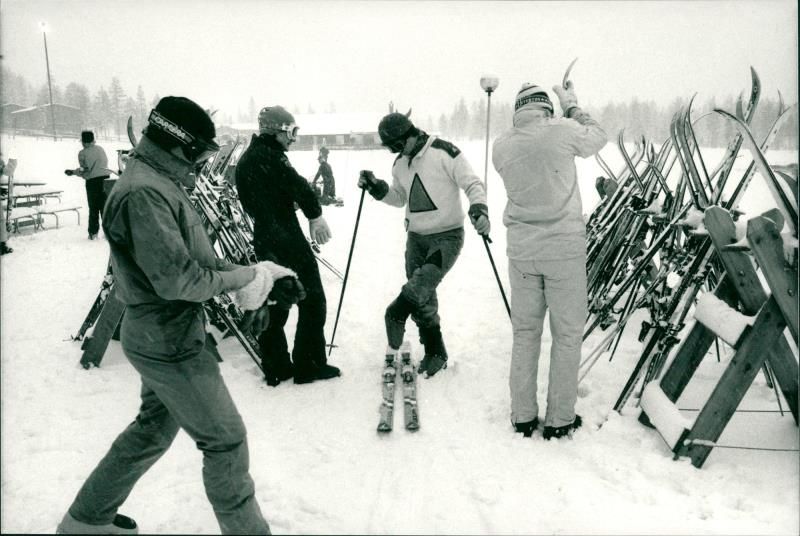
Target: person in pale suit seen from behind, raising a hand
pixel 546 250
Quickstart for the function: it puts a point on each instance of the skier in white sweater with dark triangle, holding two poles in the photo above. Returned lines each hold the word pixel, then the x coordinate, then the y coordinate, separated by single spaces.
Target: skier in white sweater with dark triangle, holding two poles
pixel 426 178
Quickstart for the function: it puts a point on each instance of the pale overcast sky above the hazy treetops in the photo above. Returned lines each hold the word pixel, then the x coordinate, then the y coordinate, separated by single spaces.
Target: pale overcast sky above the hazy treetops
pixel 360 55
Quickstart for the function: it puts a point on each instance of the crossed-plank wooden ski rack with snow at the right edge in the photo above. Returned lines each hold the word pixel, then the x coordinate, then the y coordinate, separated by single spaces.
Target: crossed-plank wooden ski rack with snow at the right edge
pixel 764 343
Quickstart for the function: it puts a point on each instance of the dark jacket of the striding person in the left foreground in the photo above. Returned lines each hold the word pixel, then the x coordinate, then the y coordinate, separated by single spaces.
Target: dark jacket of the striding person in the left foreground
pixel 163 263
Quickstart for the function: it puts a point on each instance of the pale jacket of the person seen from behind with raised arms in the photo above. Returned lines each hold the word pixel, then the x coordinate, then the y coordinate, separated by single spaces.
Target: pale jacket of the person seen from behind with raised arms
pixel 536 160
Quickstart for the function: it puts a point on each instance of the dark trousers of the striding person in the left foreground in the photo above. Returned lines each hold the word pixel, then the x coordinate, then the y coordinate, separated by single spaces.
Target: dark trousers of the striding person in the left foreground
pixel 191 395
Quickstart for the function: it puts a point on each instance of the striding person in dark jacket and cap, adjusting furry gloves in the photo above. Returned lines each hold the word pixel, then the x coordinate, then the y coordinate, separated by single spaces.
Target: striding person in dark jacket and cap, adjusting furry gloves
pixel 164 269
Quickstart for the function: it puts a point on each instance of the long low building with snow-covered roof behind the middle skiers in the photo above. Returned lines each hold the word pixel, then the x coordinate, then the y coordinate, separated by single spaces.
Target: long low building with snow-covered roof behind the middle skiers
pixel 334 131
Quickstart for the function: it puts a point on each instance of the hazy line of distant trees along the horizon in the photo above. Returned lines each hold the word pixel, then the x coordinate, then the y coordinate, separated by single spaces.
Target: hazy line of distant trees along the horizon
pixel 107 110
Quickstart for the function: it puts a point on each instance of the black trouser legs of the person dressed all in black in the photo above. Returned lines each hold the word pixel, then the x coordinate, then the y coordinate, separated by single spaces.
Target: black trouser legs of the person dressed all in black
pixel 309 339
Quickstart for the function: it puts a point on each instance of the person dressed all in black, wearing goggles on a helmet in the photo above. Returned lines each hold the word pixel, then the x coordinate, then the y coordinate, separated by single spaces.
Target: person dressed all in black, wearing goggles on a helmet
pixel 268 188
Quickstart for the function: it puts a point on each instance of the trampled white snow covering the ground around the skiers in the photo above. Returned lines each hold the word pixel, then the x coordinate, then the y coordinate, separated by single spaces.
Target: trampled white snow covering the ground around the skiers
pixel 317 461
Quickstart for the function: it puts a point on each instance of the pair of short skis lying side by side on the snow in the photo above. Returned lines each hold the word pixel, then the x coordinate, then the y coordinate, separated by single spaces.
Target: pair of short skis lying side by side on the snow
pixel 399 360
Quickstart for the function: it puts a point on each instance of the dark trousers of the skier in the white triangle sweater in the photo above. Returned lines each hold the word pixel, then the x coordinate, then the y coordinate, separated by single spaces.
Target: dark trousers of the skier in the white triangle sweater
pixel 428 259
